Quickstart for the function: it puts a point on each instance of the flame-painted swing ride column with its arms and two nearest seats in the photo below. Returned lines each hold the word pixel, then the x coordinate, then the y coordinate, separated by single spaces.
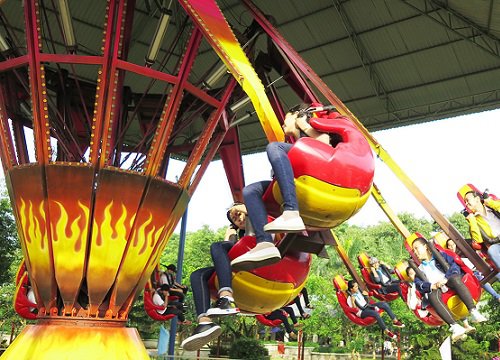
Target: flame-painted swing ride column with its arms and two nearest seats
pixel 93 209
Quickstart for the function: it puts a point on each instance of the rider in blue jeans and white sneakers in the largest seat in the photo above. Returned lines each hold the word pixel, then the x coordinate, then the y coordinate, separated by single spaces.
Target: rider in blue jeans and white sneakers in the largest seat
pixel 295 125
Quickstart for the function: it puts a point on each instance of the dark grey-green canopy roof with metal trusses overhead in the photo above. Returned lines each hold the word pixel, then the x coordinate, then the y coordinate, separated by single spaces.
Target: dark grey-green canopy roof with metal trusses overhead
pixel 392 62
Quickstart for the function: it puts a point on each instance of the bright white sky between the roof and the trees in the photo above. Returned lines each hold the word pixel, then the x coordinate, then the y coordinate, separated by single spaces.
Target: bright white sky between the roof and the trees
pixel 439 156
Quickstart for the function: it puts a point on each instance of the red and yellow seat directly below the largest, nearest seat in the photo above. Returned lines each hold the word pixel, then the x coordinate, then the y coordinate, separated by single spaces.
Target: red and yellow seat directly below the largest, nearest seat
pixel 264 289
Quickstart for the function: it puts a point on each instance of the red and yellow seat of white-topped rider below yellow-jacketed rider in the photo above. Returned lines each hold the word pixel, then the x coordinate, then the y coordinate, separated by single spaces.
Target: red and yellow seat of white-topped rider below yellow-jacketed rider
pixel 450 298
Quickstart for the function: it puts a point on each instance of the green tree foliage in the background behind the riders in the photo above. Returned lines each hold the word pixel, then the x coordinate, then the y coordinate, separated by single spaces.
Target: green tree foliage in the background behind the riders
pixel 328 321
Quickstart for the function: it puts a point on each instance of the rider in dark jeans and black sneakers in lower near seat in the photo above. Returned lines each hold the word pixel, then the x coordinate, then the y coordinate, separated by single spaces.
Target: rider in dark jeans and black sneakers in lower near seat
pixel 207 330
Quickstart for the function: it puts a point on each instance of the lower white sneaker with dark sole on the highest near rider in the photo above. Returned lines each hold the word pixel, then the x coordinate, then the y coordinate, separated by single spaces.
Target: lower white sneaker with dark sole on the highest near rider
pixel 262 254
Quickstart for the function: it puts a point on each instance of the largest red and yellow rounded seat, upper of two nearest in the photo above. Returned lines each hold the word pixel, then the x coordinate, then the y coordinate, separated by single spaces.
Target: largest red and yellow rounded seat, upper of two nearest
pixel 332 182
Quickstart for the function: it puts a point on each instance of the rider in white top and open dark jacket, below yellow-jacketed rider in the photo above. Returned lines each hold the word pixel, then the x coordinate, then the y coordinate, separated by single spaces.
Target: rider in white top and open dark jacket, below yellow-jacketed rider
pixel 442 274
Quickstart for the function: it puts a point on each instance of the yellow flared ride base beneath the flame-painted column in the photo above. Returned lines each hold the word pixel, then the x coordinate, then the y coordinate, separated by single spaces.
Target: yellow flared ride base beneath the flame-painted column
pixel 77 340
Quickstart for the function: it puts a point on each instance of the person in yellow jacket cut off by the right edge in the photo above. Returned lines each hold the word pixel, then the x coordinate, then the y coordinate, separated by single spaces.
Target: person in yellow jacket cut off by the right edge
pixel 484 223
